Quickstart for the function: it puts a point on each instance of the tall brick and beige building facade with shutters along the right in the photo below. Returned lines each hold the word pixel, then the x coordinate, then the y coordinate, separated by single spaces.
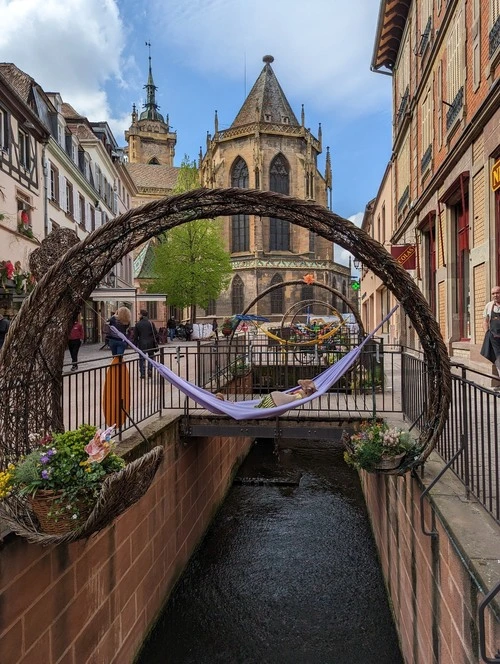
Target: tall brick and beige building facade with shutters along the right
pixel 444 58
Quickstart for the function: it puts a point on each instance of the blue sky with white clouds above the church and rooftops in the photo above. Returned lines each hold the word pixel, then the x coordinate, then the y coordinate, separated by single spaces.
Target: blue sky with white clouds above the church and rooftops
pixel 206 55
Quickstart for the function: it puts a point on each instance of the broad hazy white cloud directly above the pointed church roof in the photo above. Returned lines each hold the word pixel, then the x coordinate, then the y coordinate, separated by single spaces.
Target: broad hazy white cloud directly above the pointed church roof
pixel 322 48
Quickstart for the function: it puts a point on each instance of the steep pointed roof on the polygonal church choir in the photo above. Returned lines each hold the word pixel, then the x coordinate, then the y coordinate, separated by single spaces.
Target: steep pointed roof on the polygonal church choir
pixel 266 101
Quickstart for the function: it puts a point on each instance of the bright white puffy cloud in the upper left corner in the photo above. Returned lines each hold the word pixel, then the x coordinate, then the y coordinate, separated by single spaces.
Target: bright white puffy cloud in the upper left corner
pixel 67 46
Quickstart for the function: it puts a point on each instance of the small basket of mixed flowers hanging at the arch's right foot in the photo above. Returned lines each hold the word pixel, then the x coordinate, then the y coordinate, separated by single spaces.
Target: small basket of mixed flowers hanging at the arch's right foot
pixel 377 446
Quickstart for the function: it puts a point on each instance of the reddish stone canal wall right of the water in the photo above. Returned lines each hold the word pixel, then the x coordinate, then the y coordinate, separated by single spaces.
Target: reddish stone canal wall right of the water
pixel 435 583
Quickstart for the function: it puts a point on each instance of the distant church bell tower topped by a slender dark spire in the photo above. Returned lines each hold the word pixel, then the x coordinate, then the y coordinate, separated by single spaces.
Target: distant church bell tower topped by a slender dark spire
pixel 149 138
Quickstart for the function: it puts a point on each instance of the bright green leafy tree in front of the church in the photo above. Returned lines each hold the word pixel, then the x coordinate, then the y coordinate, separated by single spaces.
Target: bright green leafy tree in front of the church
pixel 190 262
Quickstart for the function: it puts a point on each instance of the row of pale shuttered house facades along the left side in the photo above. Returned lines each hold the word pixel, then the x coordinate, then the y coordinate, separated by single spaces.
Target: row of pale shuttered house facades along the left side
pixel 58 170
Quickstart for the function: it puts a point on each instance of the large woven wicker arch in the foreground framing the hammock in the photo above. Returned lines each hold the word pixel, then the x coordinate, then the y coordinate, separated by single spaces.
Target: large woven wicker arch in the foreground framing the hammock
pixel 32 356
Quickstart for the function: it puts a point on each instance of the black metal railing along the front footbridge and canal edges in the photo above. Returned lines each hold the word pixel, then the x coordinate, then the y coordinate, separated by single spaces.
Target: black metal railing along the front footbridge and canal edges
pixel 387 379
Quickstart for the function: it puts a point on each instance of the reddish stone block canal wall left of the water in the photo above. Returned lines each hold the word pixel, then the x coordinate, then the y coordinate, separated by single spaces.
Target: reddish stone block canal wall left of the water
pixel 95 601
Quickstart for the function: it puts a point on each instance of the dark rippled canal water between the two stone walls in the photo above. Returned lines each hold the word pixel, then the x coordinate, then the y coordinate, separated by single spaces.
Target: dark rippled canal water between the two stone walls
pixel 287 574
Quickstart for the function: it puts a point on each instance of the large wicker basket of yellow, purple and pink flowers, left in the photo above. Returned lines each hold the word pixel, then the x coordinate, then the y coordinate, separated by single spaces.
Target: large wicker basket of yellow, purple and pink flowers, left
pixel 60 480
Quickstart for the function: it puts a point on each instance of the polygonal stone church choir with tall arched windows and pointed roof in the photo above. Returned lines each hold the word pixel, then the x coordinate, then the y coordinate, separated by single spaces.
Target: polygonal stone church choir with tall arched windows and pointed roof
pixel 267 148
